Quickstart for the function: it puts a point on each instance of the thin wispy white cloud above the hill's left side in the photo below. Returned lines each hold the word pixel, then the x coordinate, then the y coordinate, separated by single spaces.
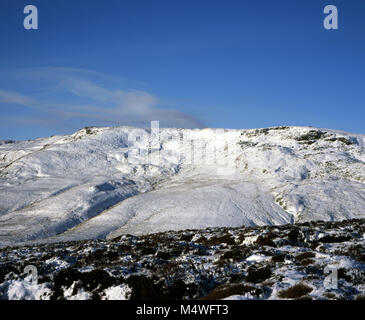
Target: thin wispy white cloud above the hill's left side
pixel 87 98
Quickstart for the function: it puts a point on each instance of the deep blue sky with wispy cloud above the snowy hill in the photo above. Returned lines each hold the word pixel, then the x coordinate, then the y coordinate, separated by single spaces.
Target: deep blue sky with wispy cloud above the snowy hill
pixel 231 64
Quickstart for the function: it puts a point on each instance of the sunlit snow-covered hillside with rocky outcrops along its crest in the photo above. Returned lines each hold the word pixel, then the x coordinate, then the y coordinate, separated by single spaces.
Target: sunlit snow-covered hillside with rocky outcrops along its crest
pixel 104 182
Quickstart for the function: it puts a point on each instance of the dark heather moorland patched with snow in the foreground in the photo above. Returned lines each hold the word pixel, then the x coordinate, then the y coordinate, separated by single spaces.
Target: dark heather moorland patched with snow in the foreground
pixel 264 263
